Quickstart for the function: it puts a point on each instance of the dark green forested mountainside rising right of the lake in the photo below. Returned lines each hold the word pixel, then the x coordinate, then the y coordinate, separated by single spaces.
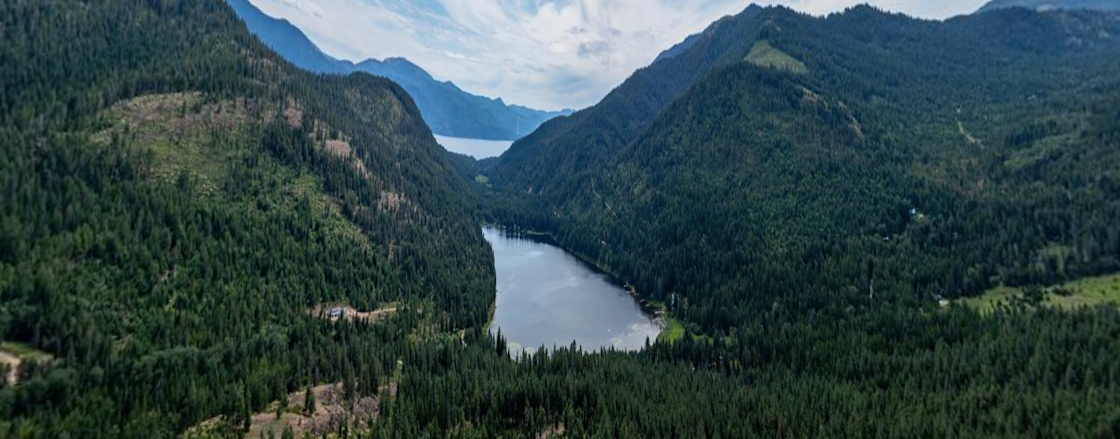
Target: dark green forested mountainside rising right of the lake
pixel 819 157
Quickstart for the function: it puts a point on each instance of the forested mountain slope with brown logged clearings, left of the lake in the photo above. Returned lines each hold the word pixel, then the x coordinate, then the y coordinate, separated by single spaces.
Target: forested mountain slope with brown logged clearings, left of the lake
pixel 175 200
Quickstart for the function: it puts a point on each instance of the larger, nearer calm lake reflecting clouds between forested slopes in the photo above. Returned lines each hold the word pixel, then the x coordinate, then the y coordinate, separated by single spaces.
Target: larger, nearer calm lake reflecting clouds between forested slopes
pixel 547 297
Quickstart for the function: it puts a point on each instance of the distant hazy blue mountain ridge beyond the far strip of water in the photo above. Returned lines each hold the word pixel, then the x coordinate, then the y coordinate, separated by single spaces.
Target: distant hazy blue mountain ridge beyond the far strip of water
pixel 447 109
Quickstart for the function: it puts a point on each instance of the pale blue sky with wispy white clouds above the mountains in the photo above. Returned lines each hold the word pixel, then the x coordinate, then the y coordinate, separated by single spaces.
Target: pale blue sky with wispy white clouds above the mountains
pixel 544 54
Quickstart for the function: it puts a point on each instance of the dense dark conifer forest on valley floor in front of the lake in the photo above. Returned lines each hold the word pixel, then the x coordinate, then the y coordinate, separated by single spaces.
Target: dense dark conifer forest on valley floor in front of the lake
pixel 941 379
